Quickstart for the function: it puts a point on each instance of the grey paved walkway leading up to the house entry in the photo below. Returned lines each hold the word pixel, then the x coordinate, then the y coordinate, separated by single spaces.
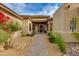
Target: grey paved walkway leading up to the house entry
pixel 39 48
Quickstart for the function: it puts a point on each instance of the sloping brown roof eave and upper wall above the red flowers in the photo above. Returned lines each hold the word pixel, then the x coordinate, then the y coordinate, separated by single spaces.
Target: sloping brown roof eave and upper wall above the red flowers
pixel 10 14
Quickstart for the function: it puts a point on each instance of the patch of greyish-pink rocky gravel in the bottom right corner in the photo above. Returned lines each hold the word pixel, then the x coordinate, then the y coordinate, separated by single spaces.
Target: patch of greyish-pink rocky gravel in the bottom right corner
pixel 72 49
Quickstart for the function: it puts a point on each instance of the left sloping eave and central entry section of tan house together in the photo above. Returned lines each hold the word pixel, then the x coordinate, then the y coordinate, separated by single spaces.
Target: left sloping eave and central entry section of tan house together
pixel 30 24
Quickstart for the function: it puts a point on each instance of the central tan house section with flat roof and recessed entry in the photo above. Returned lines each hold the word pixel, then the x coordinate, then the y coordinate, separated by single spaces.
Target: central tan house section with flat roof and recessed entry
pixel 36 24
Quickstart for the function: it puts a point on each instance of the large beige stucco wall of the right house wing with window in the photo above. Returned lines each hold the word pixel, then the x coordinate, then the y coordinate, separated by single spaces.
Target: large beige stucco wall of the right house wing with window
pixel 65 20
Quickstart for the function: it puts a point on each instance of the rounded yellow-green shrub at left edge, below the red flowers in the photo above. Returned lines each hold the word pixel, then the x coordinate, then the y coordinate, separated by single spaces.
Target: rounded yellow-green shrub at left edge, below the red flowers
pixel 4 36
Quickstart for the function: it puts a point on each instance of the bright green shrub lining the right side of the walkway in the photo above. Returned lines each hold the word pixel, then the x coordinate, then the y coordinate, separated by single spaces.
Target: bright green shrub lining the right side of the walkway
pixel 57 38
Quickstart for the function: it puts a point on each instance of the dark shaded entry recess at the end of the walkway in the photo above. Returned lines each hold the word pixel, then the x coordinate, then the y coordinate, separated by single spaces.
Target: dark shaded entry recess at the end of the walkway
pixel 40 27
